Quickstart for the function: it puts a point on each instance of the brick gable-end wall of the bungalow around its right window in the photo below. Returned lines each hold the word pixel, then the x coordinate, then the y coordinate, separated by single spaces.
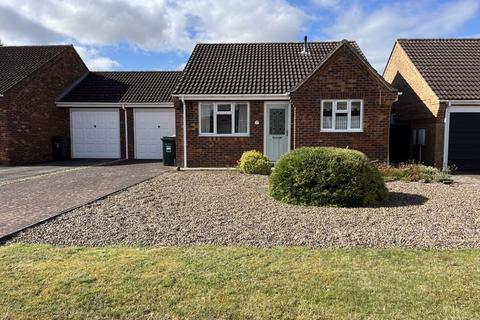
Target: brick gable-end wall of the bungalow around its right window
pixel 344 76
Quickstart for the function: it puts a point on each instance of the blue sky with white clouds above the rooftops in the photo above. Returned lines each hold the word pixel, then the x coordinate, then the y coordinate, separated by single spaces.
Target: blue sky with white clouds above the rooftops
pixel 160 34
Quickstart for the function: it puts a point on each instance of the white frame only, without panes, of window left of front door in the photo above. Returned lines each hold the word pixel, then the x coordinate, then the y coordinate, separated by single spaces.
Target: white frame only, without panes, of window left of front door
pixel 216 112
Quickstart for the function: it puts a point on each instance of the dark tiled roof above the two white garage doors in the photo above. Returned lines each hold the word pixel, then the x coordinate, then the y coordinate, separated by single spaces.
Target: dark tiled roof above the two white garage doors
pixel 125 87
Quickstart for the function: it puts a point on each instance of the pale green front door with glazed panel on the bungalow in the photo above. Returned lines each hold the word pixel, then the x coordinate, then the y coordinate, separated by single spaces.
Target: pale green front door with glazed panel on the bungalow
pixel 277 125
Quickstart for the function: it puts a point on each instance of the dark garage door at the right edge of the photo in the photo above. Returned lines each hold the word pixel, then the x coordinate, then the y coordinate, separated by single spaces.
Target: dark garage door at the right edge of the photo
pixel 464 141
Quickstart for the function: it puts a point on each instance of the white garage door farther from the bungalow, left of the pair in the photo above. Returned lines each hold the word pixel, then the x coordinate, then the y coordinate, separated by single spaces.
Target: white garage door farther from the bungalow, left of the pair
pixel 95 133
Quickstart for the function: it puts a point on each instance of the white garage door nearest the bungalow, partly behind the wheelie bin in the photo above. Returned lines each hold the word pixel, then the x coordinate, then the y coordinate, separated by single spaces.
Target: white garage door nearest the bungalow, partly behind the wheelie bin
pixel 150 126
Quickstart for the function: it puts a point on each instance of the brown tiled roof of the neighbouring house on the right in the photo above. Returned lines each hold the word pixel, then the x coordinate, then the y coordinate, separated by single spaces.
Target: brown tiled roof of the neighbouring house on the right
pixel 450 66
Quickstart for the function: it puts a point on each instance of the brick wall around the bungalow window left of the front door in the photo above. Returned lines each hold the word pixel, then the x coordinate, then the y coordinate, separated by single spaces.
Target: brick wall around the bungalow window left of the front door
pixel 216 151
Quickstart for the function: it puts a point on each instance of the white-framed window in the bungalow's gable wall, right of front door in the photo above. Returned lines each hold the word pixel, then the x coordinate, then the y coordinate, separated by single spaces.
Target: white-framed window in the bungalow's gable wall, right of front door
pixel 341 115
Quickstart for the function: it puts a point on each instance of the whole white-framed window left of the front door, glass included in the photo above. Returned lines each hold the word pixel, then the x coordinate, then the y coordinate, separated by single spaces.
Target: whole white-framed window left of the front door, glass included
pixel 224 119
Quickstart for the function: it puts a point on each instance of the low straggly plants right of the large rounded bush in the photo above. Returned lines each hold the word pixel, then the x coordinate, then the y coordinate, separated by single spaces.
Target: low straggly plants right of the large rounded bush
pixel 411 172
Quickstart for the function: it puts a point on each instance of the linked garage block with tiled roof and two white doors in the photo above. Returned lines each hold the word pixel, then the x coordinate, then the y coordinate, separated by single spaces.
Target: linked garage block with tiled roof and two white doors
pixel 120 114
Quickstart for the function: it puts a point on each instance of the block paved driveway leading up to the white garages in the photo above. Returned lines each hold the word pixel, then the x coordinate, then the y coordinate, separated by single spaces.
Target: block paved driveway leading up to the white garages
pixel 28 201
